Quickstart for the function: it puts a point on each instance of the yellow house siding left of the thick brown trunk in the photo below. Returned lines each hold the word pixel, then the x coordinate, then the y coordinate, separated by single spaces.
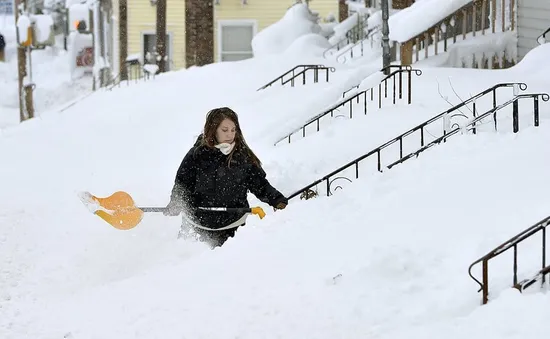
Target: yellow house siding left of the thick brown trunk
pixel 142 19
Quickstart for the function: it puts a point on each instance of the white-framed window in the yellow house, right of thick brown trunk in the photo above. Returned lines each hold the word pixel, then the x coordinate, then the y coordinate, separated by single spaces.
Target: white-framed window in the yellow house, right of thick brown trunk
pixel 235 40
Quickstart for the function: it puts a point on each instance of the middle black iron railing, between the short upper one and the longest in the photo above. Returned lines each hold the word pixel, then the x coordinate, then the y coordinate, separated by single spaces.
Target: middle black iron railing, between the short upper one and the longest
pixel 363 97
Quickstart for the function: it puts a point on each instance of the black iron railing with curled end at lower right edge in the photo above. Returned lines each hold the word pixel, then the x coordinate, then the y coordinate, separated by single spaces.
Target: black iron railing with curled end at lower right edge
pixel 513 244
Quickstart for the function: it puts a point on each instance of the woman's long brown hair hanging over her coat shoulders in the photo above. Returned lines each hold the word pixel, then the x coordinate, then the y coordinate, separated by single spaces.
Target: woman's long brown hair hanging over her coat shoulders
pixel 213 120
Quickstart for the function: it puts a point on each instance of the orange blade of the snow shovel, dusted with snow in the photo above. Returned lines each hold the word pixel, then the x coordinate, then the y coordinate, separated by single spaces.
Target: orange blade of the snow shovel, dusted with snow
pixel 118 209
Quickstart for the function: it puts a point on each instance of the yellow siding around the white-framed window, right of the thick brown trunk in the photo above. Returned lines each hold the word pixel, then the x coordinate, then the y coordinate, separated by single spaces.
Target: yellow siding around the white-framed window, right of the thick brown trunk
pixel 264 12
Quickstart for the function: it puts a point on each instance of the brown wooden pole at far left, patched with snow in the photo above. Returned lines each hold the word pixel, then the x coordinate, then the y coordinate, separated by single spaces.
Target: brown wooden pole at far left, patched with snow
pixel 26 105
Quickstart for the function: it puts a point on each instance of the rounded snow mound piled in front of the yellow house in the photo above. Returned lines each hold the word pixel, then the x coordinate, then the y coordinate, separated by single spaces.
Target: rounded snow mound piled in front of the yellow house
pixel 275 39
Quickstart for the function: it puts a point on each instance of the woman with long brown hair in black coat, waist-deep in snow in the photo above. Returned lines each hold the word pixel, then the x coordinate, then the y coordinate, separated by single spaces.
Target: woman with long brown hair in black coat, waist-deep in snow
pixel 218 171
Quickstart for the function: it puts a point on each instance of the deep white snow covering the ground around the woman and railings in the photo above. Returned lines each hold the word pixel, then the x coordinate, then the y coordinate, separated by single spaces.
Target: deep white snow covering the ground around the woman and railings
pixel 385 257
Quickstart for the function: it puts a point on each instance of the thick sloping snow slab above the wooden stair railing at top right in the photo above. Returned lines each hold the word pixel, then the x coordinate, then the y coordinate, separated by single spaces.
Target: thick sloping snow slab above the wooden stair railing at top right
pixel 422 15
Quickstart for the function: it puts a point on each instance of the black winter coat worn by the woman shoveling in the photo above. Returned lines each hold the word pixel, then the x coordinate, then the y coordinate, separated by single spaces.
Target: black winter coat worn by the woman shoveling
pixel 204 179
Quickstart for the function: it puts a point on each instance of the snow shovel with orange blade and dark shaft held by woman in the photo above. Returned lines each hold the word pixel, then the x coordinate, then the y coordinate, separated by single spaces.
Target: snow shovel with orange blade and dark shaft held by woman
pixel 120 211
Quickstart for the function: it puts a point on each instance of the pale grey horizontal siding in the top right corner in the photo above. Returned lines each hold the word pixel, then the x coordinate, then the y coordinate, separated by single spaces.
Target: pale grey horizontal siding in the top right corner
pixel 533 20
